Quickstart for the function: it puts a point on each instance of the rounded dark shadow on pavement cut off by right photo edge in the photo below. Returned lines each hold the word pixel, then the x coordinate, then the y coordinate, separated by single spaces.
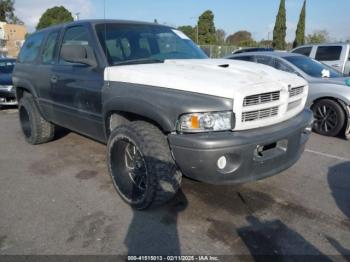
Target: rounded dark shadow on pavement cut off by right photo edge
pixel 339 183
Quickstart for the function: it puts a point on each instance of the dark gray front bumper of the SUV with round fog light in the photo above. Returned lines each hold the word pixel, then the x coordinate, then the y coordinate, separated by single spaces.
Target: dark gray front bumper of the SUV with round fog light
pixel 250 155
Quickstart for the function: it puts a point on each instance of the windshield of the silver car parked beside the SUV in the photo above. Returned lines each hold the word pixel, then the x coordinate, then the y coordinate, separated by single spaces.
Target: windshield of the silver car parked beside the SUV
pixel 313 67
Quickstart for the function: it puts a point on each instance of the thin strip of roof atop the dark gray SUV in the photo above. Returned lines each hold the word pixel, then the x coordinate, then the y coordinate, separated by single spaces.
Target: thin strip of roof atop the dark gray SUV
pixel 99 21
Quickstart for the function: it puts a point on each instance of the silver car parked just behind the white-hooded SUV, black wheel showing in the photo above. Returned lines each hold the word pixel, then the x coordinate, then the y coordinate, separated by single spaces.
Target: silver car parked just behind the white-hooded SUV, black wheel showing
pixel 329 90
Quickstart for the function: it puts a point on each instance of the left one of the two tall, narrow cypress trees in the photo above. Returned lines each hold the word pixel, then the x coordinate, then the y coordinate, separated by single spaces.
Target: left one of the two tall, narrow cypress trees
pixel 279 32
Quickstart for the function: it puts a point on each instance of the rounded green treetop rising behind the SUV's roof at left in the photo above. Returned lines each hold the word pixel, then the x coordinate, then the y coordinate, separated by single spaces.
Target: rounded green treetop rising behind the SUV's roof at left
pixel 54 16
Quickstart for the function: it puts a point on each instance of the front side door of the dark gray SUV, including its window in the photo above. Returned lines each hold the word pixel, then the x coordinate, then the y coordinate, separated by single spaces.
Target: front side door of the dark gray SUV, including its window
pixel 76 89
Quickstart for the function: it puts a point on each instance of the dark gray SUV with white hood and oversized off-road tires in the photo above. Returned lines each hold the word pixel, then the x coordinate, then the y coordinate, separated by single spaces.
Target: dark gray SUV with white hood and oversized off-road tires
pixel 162 107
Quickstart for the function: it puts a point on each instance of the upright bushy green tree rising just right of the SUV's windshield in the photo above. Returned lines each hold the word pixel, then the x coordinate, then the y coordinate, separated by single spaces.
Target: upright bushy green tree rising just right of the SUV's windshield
pixel 206 28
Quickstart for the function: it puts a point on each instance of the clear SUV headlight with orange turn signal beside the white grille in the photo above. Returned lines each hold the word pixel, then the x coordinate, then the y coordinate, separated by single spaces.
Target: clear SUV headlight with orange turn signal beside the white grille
pixel 205 122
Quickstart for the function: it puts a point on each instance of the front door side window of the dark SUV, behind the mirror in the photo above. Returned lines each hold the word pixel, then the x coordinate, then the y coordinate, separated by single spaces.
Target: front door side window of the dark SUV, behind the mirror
pixel 77 35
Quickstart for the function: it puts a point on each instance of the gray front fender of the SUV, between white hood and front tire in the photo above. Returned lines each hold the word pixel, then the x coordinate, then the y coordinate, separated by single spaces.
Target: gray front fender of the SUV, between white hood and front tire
pixel 161 105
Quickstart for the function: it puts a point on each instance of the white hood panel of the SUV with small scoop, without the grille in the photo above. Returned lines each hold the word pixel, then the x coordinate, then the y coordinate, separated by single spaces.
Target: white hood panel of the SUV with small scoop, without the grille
pixel 217 77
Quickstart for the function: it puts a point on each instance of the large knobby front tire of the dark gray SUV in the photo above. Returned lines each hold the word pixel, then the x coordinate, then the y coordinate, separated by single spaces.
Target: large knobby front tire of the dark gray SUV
pixel 163 178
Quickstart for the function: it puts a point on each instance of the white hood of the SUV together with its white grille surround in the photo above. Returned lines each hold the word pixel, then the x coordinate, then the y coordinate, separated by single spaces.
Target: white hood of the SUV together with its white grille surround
pixel 222 78
